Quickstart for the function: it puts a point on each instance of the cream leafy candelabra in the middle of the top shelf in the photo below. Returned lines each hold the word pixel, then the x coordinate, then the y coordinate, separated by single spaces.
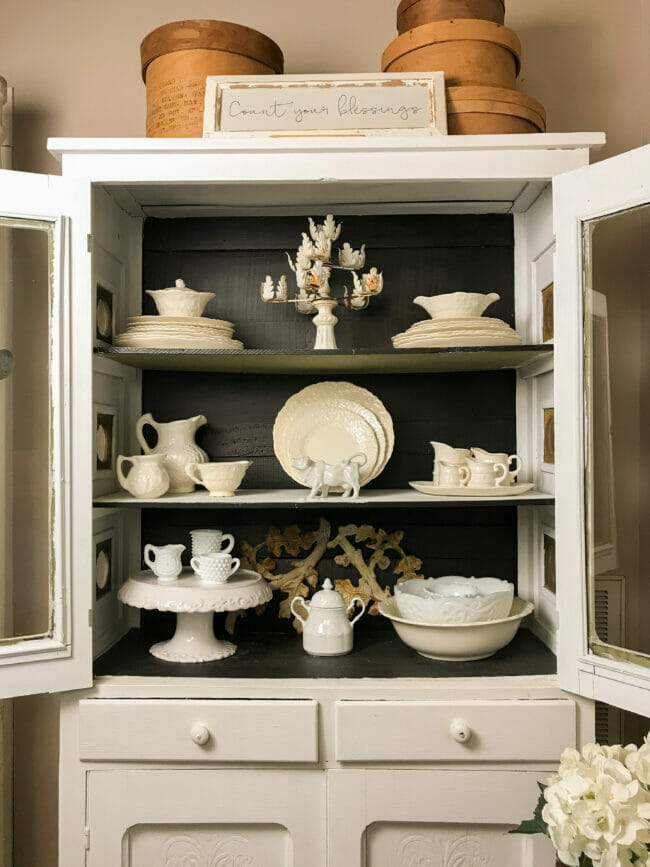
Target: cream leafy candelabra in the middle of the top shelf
pixel 313 268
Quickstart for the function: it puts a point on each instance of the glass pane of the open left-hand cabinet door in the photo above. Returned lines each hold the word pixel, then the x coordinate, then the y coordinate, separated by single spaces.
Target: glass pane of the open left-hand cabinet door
pixel 26 567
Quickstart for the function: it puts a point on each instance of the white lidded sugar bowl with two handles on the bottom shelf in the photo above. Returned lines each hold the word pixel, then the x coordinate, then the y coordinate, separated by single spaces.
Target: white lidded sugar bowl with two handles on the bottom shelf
pixel 327 631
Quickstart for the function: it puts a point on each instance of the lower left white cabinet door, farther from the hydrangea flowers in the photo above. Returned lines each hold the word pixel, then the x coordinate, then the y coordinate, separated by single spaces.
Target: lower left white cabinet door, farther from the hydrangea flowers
pixel 206 818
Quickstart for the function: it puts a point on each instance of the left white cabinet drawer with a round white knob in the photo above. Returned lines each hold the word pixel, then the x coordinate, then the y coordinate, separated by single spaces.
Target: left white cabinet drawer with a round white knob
pixel 198 731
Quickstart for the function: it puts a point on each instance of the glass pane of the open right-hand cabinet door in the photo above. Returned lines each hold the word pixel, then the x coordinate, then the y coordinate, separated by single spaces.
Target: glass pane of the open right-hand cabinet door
pixel 617 364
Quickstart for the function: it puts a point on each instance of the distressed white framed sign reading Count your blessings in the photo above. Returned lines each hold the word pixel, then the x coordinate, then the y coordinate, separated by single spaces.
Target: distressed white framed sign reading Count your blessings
pixel 329 91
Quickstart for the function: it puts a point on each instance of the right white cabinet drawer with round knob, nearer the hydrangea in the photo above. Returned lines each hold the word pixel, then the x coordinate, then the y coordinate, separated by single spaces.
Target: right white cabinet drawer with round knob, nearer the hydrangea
pixel 404 731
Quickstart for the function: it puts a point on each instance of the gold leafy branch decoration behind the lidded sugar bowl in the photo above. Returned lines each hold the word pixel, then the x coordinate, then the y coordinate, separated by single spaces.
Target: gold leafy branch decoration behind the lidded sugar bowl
pixel 351 540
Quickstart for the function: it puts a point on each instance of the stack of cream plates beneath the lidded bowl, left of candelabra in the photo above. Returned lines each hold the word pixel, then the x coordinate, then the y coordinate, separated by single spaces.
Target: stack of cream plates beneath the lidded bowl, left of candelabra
pixel 178 332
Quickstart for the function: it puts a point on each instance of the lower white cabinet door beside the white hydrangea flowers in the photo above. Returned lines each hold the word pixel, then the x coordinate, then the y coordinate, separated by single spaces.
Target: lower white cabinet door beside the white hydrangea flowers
pixel 427 818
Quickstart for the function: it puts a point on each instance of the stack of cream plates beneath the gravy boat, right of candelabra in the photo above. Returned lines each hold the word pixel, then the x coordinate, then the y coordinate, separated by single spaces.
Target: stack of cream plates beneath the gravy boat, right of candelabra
pixel 471 331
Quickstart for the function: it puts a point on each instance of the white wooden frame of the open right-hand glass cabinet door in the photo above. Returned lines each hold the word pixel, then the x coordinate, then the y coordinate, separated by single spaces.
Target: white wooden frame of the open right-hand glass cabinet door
pixel 604 188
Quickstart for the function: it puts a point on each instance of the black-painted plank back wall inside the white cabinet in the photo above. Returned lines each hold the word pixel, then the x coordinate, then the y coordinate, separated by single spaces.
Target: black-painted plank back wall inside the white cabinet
pixel 419 255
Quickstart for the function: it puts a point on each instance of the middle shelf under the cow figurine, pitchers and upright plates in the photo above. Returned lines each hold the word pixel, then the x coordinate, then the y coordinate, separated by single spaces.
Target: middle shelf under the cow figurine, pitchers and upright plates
pixel 296 498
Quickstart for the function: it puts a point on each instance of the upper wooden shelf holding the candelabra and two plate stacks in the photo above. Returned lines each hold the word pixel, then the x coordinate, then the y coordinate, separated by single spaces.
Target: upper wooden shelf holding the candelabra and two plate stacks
pixel 443 360
